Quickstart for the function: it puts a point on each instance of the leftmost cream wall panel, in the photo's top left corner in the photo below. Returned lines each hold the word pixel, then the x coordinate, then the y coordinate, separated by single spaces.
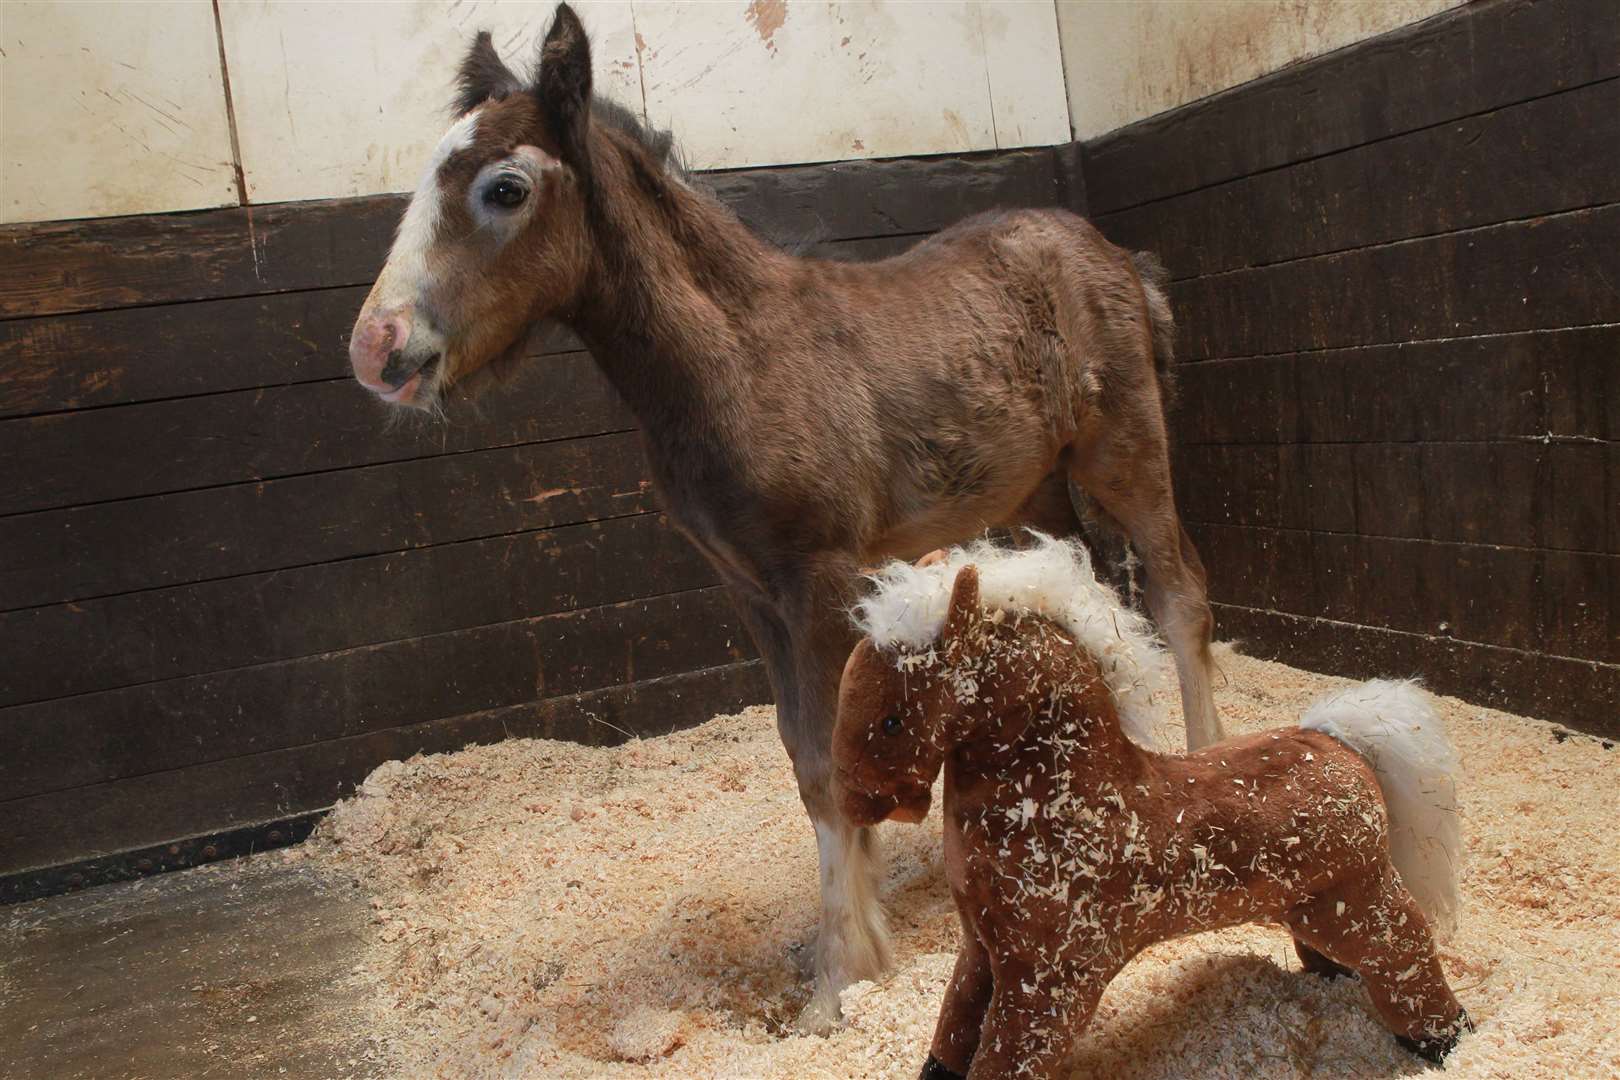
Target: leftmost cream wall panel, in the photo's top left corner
pixel 111 109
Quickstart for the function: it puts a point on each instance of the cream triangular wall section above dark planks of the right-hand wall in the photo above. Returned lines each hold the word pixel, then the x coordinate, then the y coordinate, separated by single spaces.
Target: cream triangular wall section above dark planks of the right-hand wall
pixel 1127 62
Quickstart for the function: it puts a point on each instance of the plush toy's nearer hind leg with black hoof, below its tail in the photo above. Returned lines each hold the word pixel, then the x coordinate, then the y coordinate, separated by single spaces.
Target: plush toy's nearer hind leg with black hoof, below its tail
pixel 1384 937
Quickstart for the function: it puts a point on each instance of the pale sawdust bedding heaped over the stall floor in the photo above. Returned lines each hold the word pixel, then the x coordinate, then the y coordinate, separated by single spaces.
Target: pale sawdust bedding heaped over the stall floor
pixel 547 909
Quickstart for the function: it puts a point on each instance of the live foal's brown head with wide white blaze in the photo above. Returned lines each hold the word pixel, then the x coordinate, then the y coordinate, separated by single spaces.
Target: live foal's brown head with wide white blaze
pixel 495 237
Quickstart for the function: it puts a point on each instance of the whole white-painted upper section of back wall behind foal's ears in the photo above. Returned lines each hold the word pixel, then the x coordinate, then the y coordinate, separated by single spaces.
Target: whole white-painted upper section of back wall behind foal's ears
pixel 148 108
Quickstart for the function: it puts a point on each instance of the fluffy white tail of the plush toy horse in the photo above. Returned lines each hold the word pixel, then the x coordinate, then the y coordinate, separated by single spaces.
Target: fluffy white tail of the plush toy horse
pixel 1399 733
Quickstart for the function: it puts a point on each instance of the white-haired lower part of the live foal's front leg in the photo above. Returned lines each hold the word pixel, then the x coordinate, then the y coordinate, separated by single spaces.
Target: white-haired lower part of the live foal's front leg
pixel 855 942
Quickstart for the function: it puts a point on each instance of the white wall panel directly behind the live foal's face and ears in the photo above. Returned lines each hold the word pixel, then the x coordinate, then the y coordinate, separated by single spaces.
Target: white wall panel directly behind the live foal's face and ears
pixel 349 98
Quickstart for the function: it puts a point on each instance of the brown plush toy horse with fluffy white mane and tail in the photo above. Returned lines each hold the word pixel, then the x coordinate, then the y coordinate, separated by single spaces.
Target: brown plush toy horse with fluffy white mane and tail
pixel 1070 848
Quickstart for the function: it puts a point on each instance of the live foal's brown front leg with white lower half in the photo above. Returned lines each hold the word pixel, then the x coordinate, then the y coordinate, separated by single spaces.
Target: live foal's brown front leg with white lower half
pixel 806 639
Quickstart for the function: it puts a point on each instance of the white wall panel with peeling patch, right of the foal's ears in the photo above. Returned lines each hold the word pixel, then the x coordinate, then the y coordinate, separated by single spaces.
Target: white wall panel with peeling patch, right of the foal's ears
pixel 774 82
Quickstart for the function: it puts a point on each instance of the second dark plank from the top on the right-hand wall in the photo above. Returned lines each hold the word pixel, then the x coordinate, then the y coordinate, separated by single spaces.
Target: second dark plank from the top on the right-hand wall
pixel 1537 158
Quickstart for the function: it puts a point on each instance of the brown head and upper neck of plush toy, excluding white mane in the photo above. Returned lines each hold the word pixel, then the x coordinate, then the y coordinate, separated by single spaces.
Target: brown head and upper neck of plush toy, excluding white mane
pixel 902 712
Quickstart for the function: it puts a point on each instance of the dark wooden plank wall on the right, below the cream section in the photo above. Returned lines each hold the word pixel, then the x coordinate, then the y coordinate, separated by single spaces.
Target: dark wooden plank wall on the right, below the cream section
pixel 1397 281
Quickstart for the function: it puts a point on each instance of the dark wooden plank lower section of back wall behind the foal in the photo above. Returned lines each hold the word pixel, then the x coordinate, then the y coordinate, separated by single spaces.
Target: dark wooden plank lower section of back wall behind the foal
pixel 231 589
